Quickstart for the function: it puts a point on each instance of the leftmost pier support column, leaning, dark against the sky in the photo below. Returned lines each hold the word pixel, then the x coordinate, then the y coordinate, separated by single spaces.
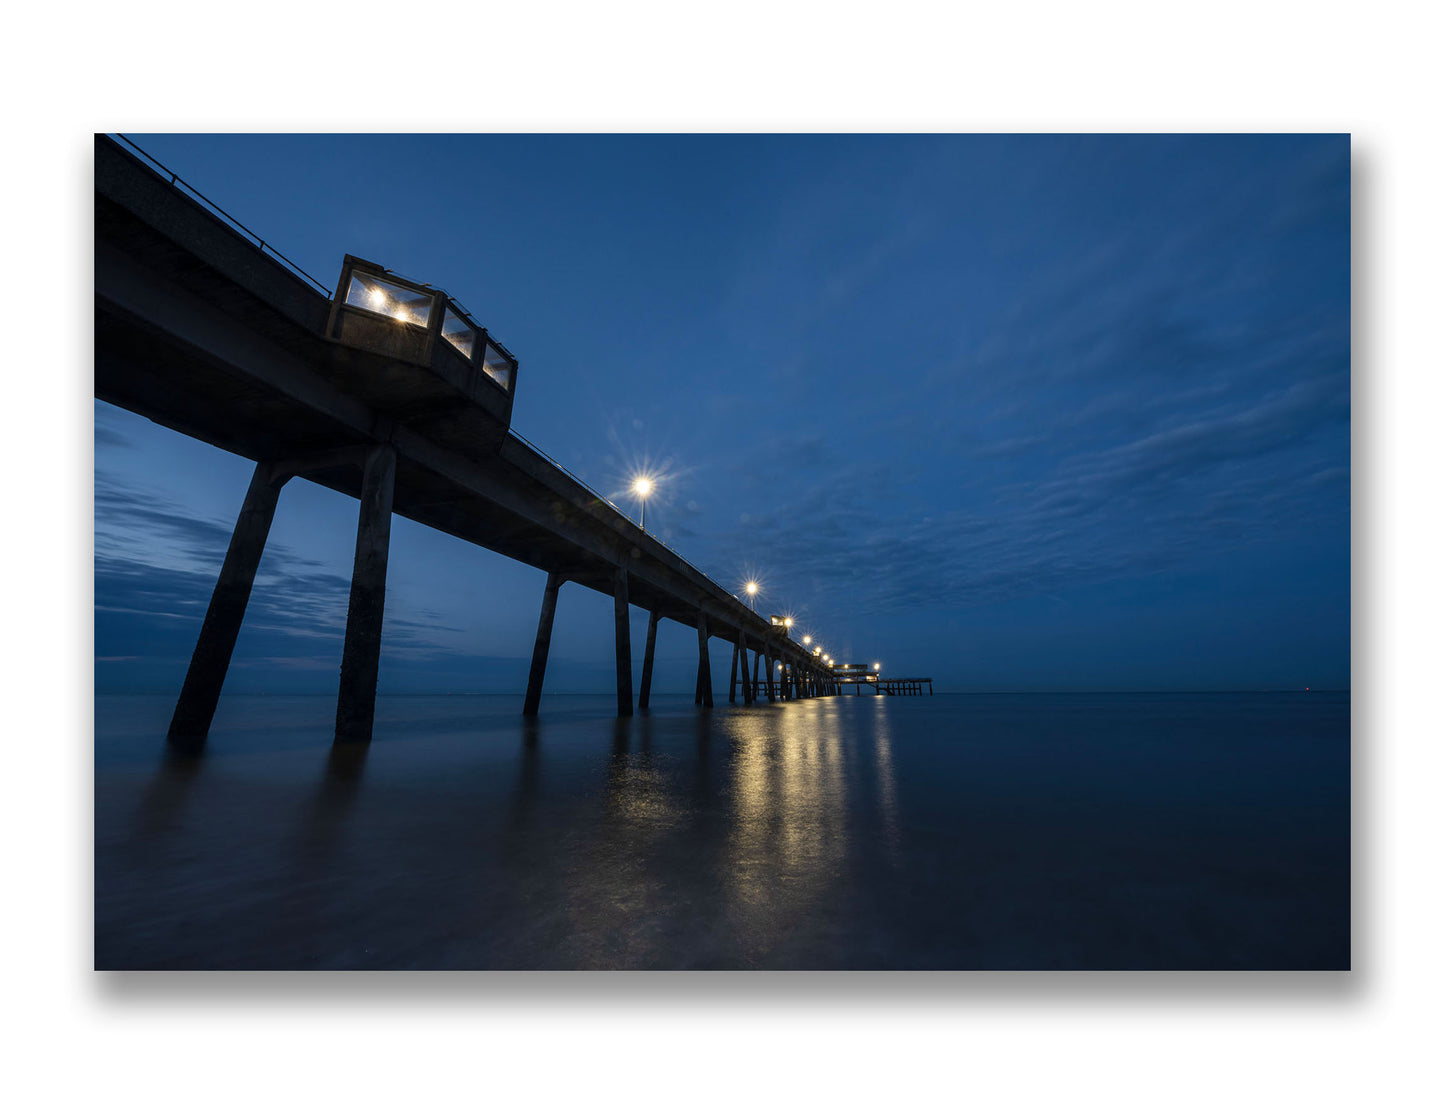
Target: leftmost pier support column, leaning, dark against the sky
pixel 212 658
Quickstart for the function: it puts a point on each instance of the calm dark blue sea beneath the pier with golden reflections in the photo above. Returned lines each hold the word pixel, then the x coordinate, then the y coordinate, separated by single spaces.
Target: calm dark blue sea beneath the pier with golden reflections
pixel 960 832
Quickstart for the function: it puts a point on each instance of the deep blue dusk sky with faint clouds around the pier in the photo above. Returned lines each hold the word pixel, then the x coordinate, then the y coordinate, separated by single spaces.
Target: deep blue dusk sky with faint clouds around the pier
pixel 1017 413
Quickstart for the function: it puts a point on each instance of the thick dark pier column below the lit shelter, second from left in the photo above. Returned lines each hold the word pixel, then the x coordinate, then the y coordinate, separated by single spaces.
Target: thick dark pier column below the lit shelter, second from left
pixel 362 652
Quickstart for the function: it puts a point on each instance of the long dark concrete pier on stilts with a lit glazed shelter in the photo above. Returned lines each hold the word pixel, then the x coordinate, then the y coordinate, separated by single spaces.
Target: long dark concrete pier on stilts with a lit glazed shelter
pixel 400 401
